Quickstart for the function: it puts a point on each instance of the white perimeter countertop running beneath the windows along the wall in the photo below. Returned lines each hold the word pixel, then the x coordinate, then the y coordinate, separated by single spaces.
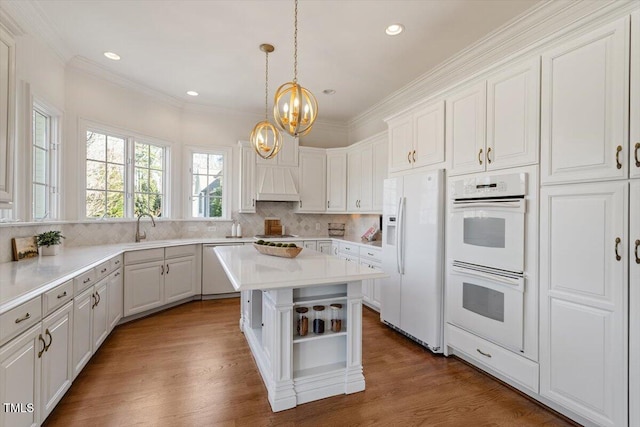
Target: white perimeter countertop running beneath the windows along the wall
pixel 23 280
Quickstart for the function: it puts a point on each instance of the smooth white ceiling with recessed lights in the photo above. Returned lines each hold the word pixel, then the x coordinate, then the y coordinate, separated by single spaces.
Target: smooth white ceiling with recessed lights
pixel 211 46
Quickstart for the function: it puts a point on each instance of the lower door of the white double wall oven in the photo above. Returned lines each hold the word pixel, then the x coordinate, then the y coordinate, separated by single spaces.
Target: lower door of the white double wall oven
pixel 488 305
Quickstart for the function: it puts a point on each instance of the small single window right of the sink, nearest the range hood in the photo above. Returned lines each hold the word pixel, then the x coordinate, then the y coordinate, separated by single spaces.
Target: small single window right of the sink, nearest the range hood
pixel 209 186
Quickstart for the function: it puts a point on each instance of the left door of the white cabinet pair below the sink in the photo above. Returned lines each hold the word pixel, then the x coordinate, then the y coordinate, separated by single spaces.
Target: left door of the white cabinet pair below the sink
pixel 143 287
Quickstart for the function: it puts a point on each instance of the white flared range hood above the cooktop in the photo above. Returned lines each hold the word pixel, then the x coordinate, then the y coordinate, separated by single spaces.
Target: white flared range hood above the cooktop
pixel 277 184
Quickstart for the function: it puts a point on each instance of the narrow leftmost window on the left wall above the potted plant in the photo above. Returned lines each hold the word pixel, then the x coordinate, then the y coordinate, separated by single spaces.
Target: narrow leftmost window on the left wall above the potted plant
pixel 43 164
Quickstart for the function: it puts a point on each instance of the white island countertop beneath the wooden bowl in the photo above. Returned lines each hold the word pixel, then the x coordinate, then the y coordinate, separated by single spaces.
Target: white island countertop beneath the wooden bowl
pixel 249 269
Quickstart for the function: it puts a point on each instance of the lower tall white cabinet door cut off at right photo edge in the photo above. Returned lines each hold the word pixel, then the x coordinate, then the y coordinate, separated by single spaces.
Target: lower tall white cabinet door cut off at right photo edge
pixel 634 309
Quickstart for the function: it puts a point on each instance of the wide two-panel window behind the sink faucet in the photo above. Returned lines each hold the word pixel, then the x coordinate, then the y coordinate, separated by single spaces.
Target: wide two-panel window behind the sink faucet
pixel 116 185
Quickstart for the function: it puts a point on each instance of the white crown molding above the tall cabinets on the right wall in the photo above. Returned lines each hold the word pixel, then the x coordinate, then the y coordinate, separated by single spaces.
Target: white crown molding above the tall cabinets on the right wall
pixel 536 28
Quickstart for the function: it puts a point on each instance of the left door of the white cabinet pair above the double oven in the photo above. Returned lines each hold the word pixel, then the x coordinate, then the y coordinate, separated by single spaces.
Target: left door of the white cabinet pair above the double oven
pixel 466 123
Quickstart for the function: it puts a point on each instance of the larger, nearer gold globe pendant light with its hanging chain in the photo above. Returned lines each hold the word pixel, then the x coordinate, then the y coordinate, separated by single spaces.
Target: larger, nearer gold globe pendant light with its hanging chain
pixel 295 108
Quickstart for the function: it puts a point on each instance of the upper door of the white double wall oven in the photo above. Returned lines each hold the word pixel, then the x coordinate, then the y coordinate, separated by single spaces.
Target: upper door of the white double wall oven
pixel 489 233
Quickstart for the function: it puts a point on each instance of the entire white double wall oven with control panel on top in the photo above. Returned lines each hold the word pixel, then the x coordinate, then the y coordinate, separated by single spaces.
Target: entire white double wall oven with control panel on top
pixel 487 281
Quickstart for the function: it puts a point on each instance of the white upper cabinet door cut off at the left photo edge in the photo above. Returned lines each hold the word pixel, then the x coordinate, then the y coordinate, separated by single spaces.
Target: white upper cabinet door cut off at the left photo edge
pixel 7 116
